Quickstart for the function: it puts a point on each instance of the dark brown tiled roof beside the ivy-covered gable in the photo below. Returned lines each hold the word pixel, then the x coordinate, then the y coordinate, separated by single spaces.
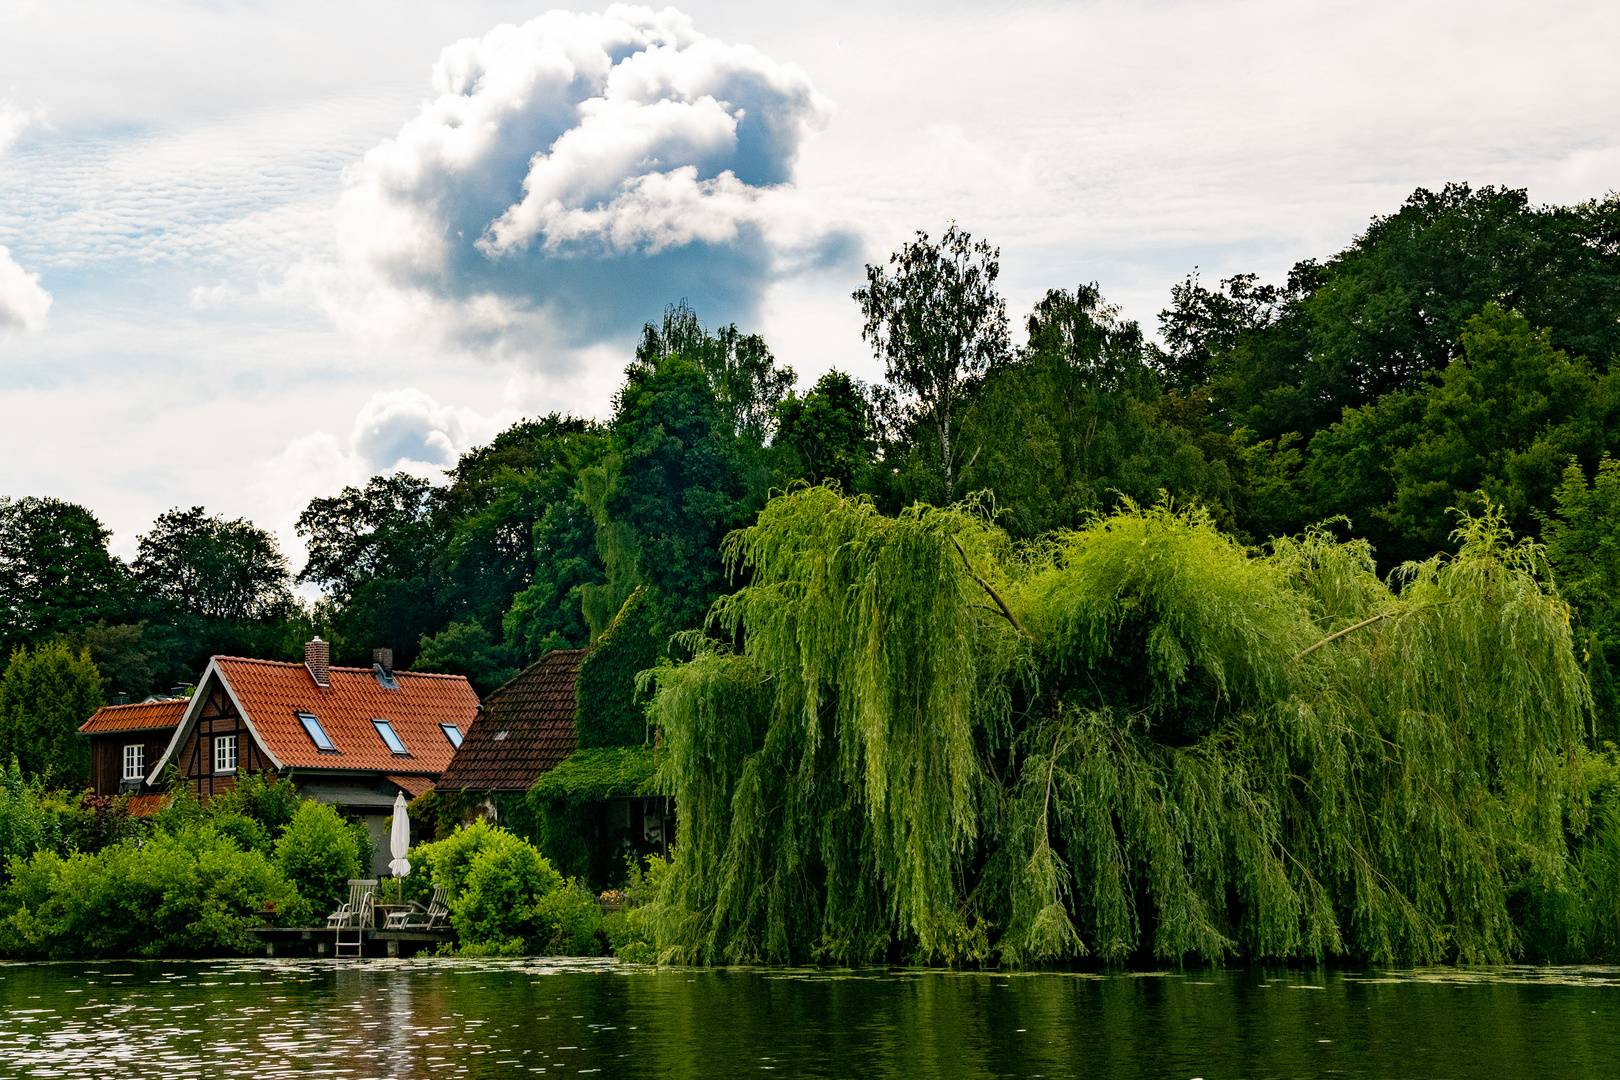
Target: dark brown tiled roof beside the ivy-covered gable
pixel 537 715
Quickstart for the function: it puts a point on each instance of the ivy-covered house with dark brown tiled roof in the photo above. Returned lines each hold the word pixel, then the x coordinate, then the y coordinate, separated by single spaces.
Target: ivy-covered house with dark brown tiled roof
pixel 581 801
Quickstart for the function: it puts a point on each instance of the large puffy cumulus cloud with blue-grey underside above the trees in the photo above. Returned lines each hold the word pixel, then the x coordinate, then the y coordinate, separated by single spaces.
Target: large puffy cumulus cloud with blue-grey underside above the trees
pixel 573 176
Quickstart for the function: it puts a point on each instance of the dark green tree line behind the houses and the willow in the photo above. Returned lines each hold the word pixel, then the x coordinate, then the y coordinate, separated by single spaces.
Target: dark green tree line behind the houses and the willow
pixel 1459 351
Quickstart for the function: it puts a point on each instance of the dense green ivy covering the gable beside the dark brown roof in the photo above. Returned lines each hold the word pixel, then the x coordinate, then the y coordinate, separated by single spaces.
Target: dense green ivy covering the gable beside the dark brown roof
pixel 610 712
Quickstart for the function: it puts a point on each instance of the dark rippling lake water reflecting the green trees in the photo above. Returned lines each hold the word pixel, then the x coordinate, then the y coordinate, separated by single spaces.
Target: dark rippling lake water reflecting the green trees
pixel 569 1018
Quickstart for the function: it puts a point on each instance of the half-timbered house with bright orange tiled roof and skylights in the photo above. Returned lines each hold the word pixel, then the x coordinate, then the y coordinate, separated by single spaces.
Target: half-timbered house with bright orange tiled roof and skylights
pixel 354 738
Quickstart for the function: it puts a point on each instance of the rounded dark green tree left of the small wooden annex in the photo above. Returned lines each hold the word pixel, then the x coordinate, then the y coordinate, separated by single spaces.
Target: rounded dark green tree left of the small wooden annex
pixel 45 695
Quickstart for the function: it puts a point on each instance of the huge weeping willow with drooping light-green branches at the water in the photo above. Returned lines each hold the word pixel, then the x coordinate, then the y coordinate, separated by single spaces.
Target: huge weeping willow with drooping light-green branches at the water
pixel 1136 738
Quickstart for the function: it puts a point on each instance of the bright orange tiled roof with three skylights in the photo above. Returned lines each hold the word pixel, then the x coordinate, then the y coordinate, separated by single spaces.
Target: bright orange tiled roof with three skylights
pixel 271 695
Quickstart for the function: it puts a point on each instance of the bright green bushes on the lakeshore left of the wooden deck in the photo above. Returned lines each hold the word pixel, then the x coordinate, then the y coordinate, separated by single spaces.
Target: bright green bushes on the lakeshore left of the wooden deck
pixel 176 895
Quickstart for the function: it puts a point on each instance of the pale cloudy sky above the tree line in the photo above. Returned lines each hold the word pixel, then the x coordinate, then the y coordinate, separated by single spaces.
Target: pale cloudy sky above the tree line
pixel 252 253
